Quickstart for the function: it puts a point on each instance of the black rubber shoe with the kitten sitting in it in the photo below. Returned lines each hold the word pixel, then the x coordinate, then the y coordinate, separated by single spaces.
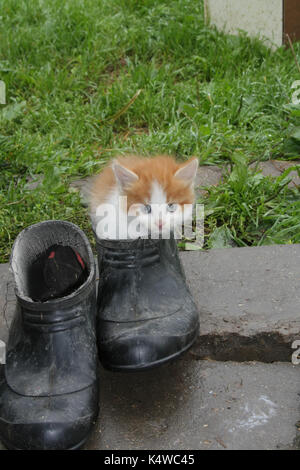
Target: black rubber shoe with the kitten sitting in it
pixel 146 314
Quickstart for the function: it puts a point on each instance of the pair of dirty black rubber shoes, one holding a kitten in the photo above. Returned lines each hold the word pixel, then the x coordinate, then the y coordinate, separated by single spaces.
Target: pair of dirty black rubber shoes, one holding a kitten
pixel 144 316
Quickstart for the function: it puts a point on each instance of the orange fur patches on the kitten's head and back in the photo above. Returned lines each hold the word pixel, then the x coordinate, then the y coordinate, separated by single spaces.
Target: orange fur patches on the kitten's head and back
pixel 160 168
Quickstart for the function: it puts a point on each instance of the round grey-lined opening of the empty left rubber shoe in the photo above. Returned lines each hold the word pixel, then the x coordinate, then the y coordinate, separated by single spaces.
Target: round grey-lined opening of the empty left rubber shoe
pixel 51 260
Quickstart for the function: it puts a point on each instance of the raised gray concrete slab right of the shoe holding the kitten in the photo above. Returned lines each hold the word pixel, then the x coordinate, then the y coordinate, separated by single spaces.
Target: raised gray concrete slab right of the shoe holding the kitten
pixel 249 301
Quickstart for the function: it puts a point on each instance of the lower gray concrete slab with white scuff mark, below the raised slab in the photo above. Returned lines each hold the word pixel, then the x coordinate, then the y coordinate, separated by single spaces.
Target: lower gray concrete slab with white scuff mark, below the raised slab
pixel 200 405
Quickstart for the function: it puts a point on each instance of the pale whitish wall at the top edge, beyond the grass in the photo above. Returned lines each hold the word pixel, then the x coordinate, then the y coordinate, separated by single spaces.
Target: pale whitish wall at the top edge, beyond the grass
pixel 262 18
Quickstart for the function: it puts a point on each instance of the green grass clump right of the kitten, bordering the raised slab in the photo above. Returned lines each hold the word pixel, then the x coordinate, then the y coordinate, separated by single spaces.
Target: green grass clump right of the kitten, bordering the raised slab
pixel 250 209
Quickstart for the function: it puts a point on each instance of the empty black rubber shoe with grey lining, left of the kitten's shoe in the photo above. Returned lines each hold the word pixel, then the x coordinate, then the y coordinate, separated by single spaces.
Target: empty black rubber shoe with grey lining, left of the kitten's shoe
pixel 49 385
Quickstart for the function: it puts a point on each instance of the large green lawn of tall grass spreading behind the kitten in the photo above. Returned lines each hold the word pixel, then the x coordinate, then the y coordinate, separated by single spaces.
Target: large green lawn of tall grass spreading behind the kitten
pixel 71 66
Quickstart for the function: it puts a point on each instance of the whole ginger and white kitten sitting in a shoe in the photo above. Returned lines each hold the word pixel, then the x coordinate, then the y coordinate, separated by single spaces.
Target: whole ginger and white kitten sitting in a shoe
pixel 140 197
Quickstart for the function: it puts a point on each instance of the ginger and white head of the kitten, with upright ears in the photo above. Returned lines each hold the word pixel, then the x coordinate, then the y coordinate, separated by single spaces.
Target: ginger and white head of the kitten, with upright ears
pixel 159 191
